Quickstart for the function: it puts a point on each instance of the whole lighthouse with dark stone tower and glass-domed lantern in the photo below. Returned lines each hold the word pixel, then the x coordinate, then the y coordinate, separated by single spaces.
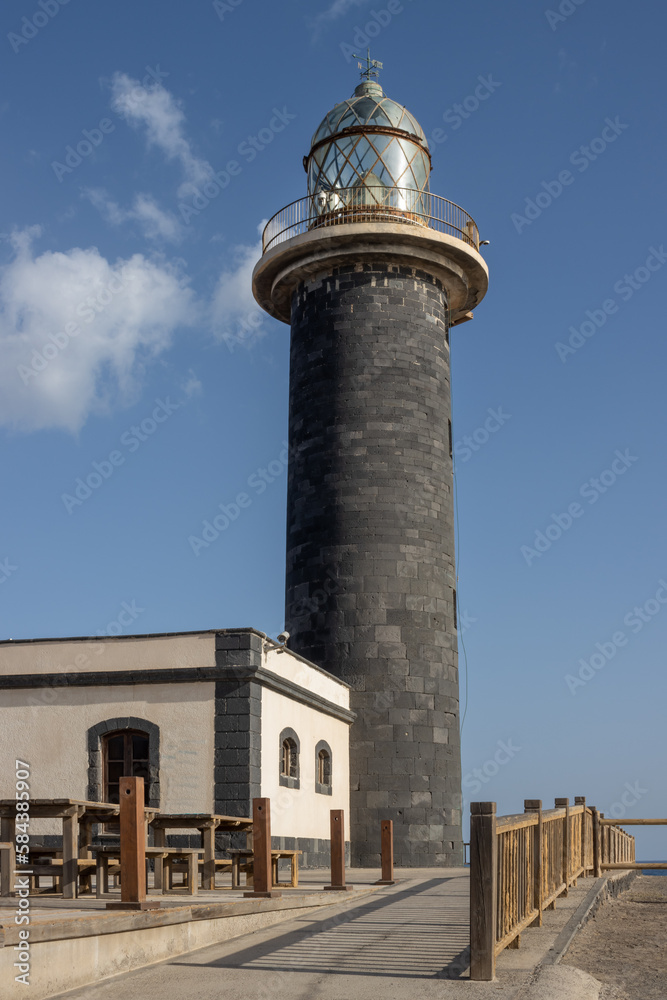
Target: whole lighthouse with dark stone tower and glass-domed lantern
pixel 371 270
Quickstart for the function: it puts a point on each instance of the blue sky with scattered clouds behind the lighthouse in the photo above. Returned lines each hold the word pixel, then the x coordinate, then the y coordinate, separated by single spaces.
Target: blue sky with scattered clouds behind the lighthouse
pixel 131 350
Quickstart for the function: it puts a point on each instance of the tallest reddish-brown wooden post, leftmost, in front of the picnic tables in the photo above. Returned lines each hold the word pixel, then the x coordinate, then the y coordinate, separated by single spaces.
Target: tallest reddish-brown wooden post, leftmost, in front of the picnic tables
pixel 132 848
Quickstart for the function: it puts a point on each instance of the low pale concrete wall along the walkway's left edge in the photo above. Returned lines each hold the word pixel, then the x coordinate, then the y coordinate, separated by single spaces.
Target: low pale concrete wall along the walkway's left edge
pixel 69 952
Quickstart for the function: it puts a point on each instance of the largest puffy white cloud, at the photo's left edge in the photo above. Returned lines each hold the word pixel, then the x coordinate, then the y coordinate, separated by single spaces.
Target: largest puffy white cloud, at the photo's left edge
pixel 77 331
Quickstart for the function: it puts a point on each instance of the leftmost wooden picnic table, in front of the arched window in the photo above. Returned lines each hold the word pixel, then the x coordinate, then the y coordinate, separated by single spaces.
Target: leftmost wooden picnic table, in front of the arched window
pixel 77 815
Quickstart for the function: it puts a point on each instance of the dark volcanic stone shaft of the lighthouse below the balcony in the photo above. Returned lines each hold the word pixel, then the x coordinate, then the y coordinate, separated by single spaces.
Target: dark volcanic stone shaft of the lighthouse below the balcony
pixel 370 544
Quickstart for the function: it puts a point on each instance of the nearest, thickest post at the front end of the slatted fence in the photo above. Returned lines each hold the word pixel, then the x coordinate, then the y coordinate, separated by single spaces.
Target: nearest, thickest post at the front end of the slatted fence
pixel 483 890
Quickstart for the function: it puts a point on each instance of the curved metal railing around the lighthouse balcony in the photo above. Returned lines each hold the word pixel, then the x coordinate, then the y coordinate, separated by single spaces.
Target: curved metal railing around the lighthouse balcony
pixel 370 204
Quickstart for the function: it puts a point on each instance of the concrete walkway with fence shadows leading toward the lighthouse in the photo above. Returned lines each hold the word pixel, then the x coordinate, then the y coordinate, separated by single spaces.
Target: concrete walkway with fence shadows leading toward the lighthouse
pixel 405 942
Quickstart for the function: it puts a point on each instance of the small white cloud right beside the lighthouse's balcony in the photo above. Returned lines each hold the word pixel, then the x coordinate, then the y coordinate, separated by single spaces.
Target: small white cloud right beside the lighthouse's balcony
pixel 236 318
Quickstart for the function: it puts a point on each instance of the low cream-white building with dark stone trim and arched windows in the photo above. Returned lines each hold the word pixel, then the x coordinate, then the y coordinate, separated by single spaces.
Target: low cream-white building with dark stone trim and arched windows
pixel 209 719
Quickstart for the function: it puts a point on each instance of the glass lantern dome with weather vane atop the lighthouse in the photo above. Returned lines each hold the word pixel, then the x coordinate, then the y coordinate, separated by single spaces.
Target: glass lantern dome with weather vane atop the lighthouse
pixel 369 151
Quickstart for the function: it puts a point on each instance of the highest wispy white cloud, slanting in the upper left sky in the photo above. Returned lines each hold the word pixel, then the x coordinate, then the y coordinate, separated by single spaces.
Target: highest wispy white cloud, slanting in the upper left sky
pixel 155 110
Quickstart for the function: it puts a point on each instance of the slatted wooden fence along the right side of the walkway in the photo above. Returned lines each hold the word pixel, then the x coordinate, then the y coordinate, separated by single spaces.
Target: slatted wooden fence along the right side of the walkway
pixel 519 865
